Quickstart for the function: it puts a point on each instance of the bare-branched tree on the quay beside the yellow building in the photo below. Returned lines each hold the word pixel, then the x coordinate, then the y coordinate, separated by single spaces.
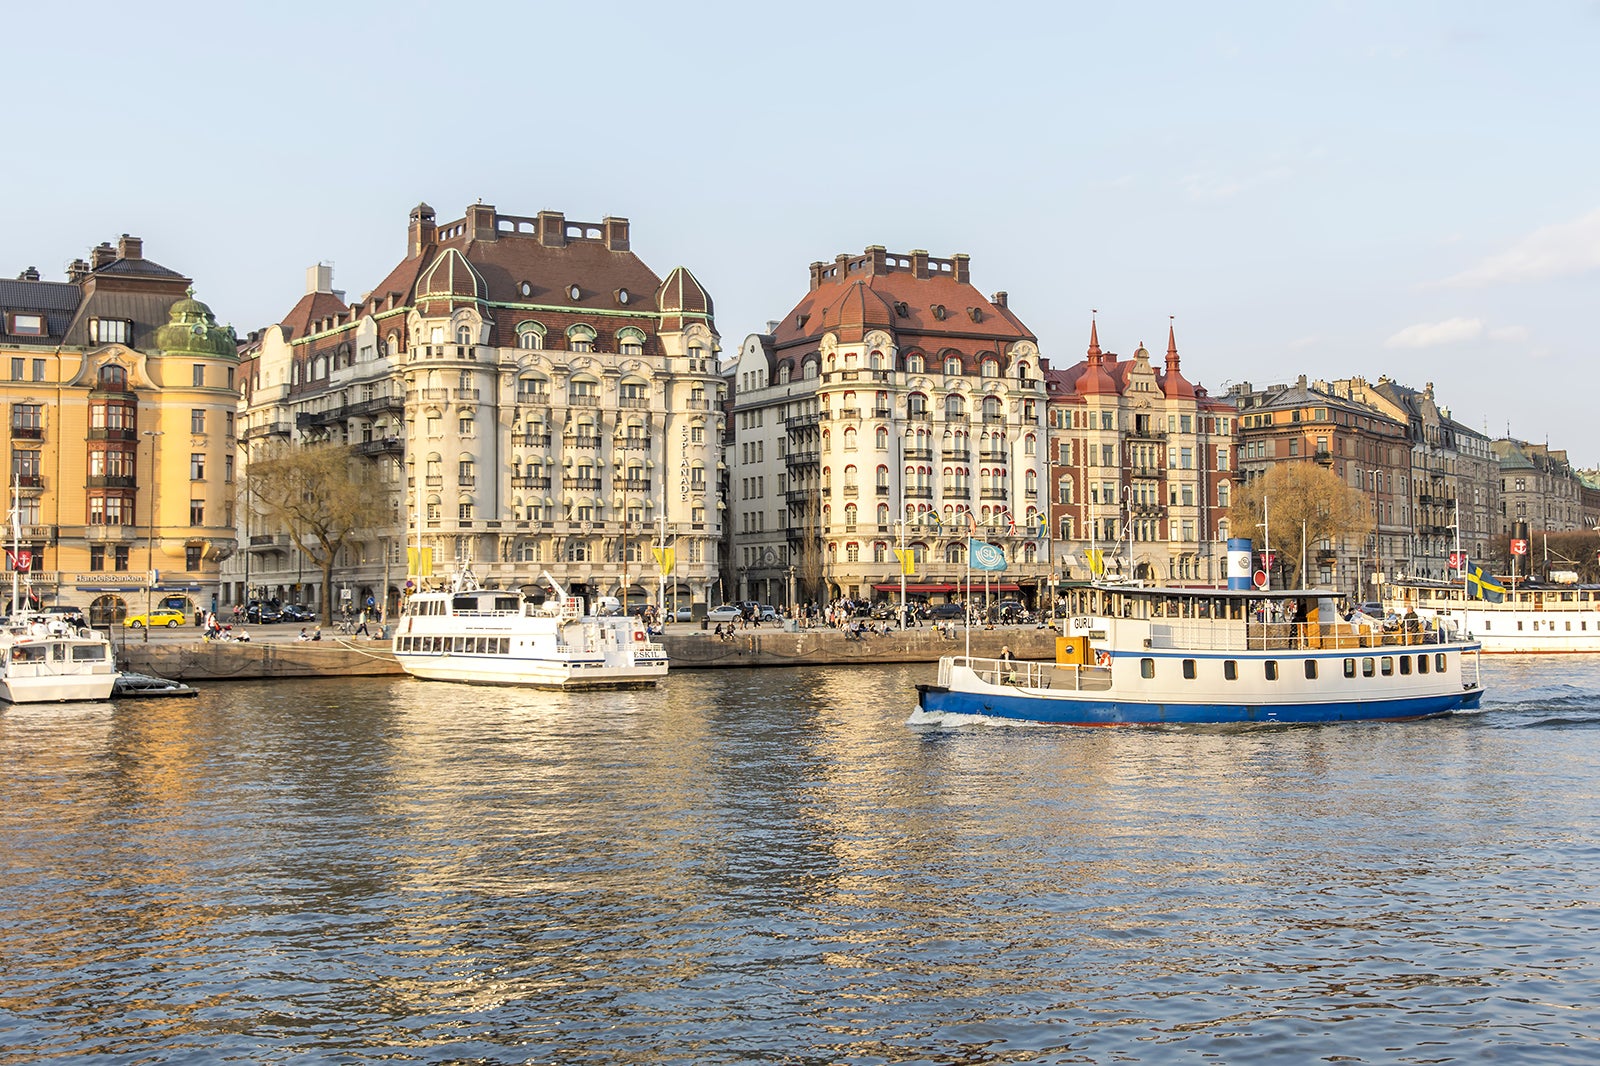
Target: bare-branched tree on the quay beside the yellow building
pixel 322 495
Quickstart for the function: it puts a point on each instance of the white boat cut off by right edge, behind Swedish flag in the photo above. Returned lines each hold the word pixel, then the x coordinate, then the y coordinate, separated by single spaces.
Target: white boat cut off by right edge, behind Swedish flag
pixel 1534 619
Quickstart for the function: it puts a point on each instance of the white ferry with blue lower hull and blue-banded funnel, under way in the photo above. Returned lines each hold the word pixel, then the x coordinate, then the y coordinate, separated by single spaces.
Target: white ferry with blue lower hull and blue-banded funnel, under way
pixel 1140 655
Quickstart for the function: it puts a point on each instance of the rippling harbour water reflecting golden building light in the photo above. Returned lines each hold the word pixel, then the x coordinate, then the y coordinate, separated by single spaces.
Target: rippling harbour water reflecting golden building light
pixel 780 867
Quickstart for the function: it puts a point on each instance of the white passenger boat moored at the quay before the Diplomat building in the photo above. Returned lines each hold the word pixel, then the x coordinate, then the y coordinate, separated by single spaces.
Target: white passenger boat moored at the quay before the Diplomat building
pixel 502 638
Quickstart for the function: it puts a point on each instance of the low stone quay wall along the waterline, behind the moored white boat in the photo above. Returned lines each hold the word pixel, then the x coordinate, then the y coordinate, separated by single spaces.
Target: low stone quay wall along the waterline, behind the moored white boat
pixel 689 649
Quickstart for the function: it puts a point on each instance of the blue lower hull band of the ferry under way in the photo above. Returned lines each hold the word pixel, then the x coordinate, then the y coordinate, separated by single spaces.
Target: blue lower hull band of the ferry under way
pixel 1060 711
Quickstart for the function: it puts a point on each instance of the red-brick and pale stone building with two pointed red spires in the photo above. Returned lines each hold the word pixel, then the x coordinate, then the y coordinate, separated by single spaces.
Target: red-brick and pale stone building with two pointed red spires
pixel 1140 457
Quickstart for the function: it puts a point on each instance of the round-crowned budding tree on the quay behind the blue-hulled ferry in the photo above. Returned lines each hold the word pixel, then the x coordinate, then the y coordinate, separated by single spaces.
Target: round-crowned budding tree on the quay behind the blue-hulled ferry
pixel 1295 494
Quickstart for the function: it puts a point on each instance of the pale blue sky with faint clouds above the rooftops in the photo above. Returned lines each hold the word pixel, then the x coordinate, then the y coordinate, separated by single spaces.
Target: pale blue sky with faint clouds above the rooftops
pixel 1324 190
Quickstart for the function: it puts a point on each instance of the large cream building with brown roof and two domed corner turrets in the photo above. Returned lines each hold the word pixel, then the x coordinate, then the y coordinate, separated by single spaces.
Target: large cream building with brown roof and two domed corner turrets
pixel 535 399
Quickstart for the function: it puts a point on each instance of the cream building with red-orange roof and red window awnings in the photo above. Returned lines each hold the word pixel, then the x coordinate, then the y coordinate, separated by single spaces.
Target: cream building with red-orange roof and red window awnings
pixel 894 409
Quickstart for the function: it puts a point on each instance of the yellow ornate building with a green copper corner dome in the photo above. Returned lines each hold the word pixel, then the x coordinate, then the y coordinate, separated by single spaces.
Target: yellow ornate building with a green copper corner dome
pixel 121 391
